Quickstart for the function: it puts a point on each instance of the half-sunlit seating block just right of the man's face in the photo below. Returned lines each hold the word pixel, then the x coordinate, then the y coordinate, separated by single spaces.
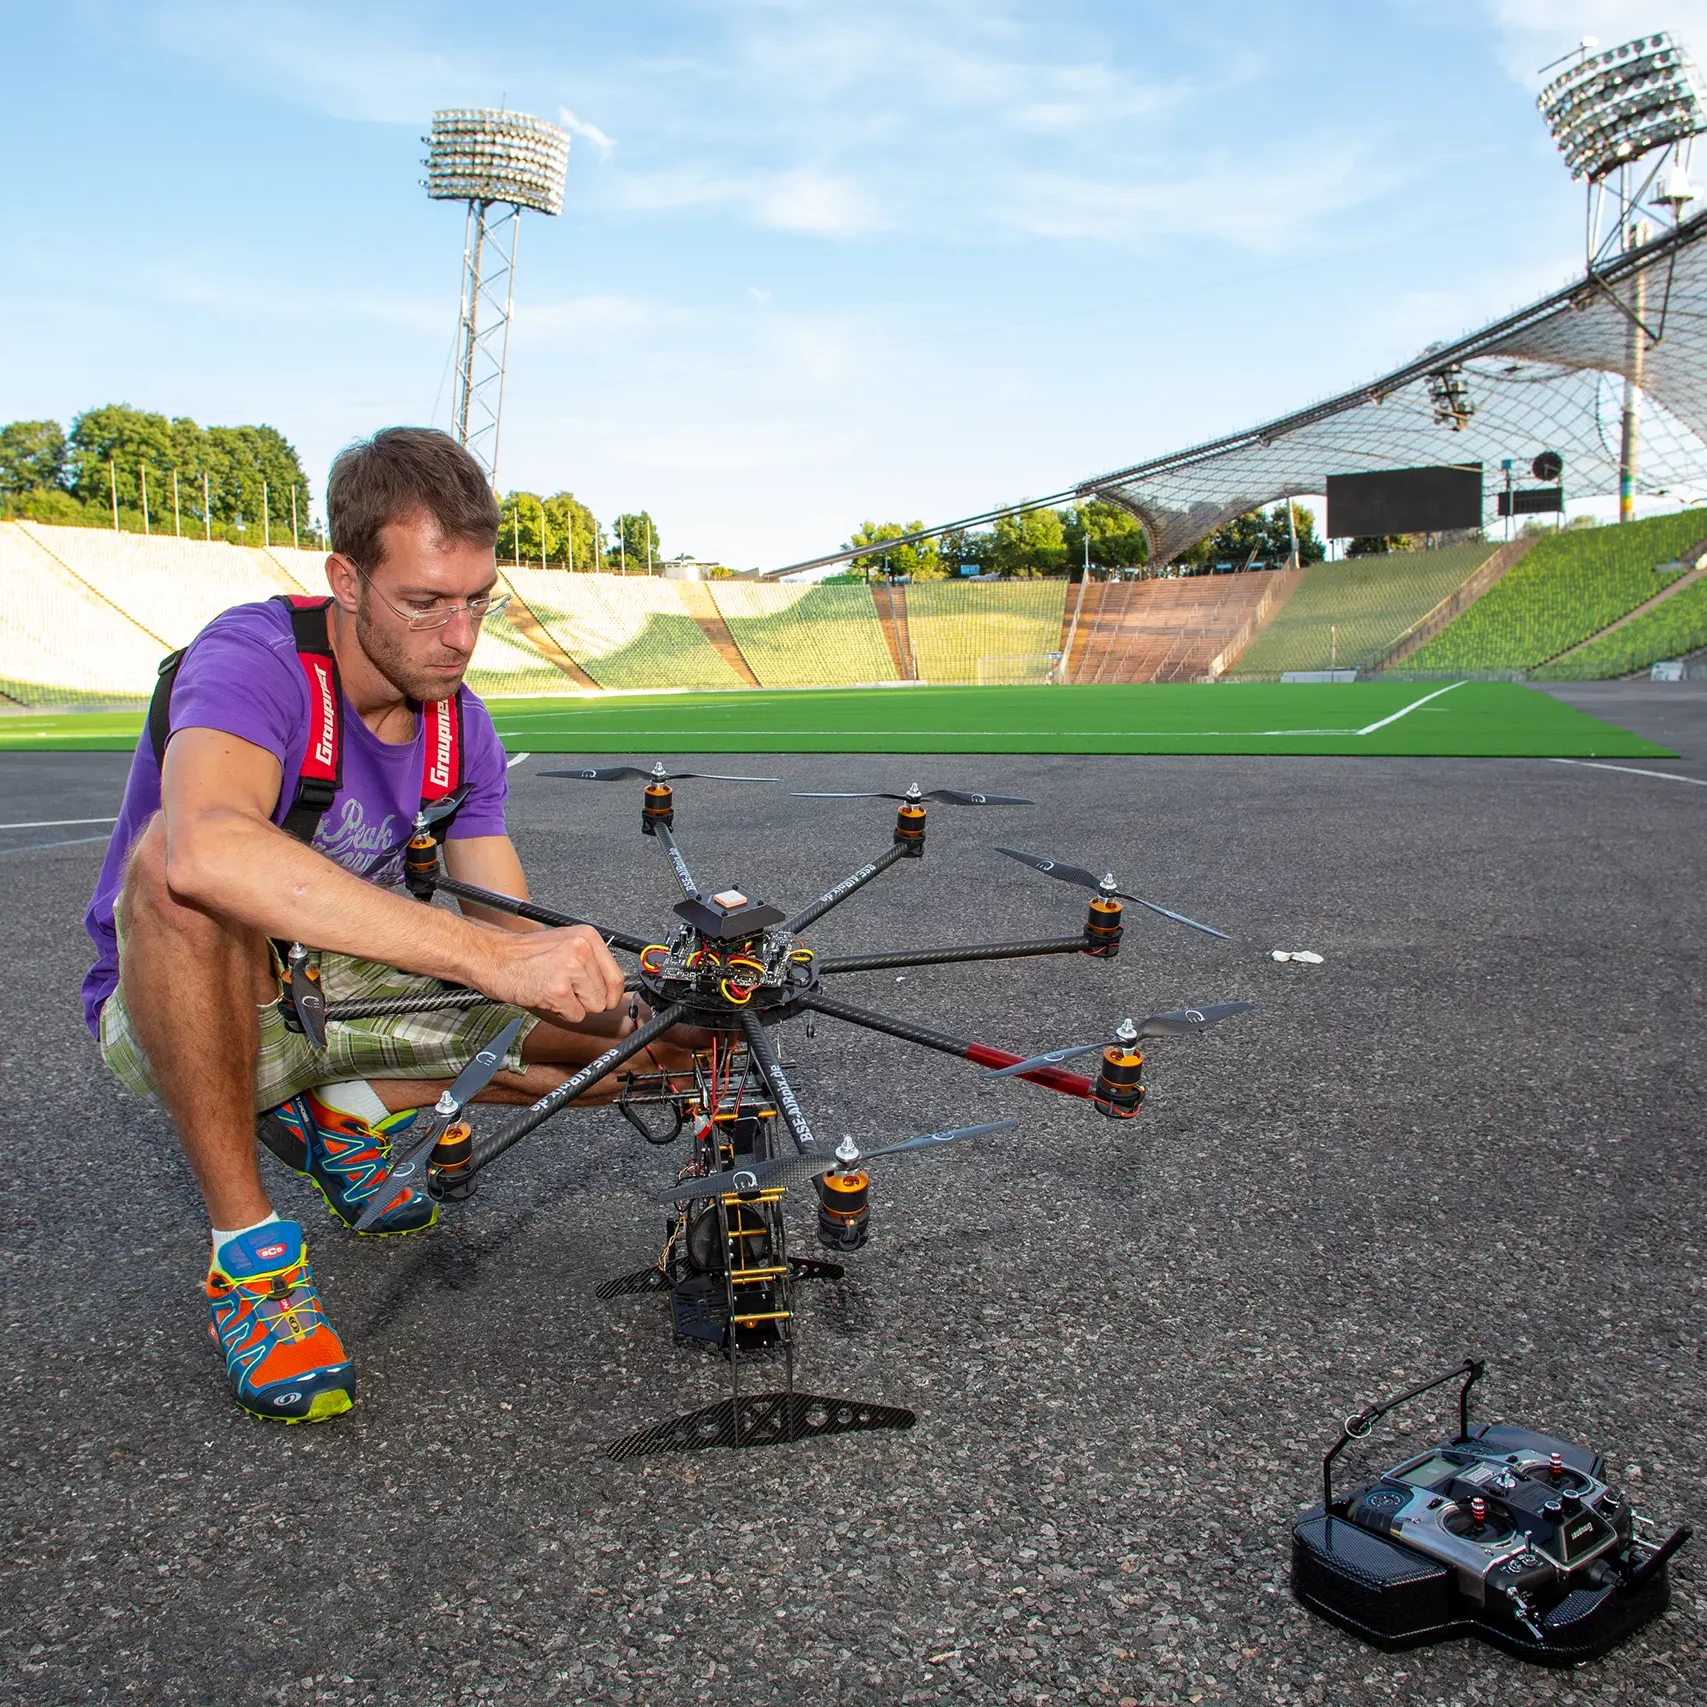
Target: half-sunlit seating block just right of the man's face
pixel 624 631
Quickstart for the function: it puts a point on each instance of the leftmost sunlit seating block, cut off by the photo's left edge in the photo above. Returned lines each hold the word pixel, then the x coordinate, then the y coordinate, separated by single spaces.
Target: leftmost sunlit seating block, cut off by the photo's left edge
pixel 61 643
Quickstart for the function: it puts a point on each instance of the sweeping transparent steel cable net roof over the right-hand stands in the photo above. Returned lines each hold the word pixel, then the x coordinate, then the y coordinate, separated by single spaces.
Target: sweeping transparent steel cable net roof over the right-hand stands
pixel 1549 378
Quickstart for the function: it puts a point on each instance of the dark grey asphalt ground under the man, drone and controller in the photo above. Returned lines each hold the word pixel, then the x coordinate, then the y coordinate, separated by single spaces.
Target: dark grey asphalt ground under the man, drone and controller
pixel 1476 1127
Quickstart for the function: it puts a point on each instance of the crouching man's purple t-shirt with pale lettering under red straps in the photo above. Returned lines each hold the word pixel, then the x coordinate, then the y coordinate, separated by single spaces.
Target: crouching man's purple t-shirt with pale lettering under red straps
pixel 242 677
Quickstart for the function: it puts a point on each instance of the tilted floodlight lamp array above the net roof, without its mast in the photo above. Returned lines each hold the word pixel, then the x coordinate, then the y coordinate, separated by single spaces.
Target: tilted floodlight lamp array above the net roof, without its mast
pixel 1612 108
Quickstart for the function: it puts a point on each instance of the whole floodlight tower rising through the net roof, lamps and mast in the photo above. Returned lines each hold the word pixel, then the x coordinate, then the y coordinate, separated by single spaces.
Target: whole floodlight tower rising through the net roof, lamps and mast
pixel 1626 124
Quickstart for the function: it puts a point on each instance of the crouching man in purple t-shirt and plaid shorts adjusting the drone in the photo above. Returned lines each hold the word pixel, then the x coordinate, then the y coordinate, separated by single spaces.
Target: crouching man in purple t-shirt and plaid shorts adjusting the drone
pixel 267 805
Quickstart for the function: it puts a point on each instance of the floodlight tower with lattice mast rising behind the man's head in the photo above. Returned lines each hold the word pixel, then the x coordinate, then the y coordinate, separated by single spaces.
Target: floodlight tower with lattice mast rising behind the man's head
pixel 498 163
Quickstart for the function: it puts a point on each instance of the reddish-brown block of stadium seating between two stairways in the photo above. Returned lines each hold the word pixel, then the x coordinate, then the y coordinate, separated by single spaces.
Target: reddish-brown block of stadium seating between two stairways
pixel 1175 629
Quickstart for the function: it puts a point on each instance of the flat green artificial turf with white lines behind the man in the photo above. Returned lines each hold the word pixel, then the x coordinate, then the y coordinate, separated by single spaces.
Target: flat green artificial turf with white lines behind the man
pixel 1366 718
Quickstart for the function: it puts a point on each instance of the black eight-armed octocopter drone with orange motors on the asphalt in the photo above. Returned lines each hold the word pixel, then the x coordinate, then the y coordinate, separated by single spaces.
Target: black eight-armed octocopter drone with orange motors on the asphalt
pixel 737 967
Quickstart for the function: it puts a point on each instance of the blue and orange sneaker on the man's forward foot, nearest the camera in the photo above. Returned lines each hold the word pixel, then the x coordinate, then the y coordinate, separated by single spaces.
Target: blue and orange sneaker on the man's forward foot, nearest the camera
pixel 283 1358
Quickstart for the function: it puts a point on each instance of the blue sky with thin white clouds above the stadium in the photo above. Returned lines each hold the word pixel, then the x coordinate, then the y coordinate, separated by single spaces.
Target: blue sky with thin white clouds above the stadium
pixel 819 264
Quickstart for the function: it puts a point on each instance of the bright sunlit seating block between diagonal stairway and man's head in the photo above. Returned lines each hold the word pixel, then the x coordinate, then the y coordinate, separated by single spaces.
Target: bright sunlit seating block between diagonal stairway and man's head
pixel 170 588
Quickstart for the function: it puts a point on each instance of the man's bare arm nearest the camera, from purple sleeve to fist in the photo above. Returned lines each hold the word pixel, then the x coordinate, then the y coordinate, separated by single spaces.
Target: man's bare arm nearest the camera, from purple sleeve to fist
pixel 226 856
